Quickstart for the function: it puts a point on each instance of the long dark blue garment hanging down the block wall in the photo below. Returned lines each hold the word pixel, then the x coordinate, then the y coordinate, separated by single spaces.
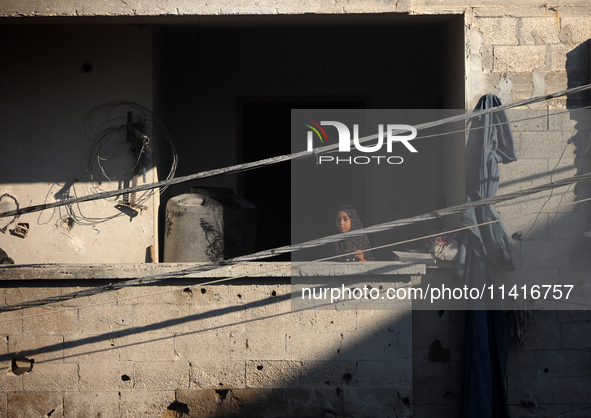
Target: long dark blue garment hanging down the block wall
pixel 483 251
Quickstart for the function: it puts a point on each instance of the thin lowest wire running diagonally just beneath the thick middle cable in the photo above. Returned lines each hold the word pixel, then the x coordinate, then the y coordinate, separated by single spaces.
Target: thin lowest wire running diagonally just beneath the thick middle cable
pixel 297 265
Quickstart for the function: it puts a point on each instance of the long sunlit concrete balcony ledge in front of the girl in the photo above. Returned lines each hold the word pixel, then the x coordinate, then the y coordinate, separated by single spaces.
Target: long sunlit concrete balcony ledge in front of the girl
pixel 187 270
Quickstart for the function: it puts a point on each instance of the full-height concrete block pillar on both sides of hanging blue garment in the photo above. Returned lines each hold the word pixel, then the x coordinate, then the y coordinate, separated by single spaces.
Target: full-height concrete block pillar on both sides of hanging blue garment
pixel 518 53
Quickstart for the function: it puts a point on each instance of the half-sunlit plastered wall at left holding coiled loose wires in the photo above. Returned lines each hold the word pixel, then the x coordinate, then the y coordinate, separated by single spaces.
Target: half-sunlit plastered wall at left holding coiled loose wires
pixel 52 77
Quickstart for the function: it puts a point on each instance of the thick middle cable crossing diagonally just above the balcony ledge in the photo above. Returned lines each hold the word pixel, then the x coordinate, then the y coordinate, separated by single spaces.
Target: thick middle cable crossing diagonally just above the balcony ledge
pixel 292 248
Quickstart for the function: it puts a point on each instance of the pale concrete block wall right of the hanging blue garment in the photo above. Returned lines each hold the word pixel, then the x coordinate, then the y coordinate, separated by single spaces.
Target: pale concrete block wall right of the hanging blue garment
pixel 541 51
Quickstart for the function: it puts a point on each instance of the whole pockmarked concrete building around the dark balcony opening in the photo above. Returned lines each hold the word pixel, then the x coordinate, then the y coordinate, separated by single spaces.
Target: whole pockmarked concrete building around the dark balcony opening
pixel 210 85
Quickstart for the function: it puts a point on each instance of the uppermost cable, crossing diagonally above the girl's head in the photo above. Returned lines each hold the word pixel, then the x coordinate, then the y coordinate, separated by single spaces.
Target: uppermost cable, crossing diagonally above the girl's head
pixel 282 158
